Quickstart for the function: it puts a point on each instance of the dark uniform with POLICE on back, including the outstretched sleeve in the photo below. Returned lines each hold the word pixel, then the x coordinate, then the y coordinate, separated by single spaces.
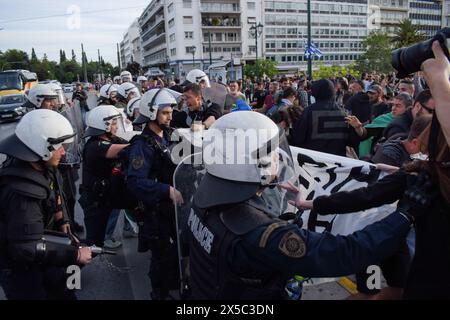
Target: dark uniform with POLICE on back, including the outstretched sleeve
pixel 242 251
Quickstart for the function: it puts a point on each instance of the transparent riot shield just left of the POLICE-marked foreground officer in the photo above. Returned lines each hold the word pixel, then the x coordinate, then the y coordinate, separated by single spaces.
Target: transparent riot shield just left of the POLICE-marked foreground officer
pixel 186 179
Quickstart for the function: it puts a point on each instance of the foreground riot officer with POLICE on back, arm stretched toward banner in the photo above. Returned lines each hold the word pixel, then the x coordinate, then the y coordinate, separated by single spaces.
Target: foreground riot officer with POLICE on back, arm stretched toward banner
pixel 239 246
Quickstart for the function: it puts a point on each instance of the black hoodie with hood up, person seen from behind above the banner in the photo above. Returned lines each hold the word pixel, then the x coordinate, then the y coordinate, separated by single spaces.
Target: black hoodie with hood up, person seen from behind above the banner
pixel 322 126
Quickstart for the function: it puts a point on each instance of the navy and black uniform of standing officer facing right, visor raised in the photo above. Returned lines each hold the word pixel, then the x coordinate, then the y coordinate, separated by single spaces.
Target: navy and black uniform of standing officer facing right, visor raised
pixel 149 177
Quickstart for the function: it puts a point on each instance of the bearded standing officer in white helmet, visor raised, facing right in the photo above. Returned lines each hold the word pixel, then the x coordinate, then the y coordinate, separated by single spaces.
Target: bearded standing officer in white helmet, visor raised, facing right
pixel 149 178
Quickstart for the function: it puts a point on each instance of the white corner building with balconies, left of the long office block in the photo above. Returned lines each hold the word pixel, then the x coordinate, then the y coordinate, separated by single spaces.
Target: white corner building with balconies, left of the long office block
pixel 182 35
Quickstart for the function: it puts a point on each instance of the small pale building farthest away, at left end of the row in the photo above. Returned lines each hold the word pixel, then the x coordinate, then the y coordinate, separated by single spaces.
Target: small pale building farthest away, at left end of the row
pixel 130 47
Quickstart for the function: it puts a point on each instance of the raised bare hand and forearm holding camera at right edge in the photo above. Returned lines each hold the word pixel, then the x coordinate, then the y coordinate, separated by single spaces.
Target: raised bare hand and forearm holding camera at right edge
pixel 436 72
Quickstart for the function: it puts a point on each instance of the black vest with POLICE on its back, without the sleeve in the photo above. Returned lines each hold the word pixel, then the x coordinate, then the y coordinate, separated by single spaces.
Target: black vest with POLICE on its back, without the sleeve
pixel 214 233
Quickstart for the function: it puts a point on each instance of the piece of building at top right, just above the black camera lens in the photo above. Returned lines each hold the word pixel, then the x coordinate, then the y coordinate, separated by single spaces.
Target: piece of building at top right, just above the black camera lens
pixel 427 15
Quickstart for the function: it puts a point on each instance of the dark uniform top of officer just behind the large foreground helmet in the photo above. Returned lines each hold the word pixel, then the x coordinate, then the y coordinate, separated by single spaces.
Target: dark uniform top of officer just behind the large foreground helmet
pixel 184 119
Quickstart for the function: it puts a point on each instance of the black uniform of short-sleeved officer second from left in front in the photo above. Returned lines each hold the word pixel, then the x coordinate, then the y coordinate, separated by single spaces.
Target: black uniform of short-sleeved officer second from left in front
pixel 94 189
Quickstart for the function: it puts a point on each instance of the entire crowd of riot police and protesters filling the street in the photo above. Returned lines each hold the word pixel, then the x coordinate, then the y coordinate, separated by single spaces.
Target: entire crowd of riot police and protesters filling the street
pixel 237 248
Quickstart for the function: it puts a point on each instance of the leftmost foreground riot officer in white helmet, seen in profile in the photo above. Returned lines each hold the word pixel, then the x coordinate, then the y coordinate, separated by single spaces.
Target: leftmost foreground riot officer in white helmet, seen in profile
pixel 31 267
